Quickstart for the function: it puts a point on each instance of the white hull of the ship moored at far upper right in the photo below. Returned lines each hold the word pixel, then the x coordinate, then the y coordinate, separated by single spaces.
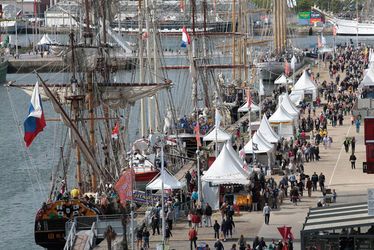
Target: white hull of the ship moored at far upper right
pixel 350 28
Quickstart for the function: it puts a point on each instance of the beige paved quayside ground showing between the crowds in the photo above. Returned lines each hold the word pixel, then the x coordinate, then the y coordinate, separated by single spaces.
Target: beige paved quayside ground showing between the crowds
pixel 350 185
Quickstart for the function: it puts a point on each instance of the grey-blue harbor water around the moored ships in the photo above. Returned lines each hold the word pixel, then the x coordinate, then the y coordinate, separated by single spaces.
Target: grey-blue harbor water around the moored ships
pixel 25 174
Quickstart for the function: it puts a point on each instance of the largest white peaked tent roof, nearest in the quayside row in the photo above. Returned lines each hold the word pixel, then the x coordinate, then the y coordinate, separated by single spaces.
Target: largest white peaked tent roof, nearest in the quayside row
pixel 225 170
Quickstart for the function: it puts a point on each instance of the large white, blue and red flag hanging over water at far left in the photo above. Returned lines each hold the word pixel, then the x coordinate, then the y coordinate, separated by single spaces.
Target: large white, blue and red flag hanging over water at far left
pixel 35 121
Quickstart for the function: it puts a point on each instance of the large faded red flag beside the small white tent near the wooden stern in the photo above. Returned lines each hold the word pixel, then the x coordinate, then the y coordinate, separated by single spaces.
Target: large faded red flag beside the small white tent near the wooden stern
pixel 124 186
